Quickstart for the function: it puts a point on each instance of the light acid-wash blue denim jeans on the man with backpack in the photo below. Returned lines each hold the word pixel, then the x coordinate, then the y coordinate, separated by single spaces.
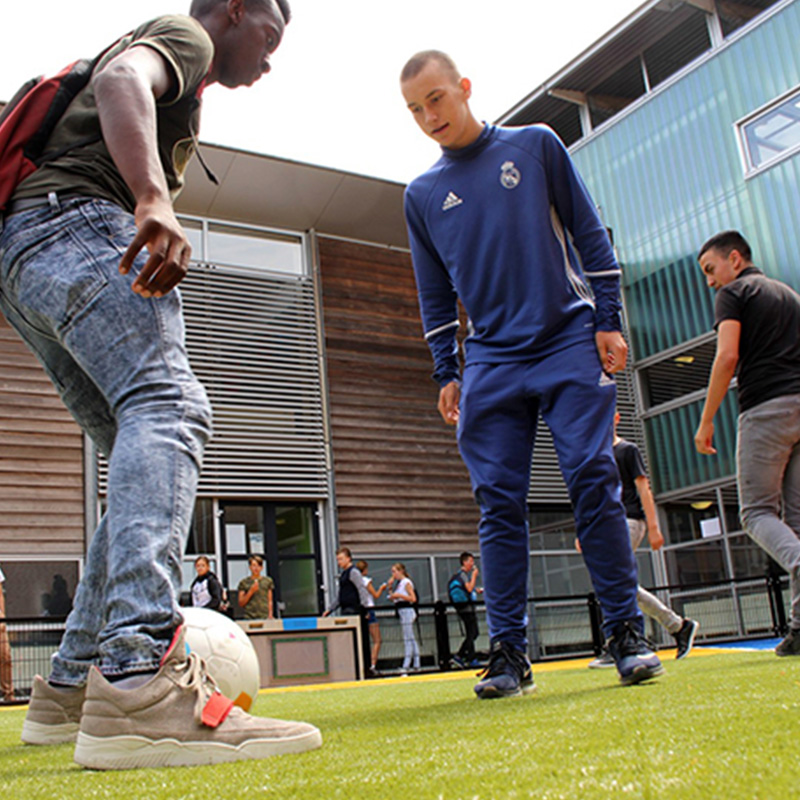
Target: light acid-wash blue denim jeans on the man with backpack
pixel 120 365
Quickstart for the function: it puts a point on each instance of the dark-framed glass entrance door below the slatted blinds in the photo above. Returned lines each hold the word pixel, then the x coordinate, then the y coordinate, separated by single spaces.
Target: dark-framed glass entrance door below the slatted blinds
pixel 287 536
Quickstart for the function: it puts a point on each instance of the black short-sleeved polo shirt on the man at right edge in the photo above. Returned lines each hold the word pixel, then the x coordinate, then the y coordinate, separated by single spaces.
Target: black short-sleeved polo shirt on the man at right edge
pixel 769 345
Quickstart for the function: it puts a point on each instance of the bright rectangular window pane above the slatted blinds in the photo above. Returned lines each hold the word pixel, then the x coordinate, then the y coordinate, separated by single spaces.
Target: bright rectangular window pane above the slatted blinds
pixel 241 247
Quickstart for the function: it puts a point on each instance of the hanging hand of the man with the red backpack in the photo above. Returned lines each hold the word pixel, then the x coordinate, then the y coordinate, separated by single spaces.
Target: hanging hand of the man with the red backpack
pixel 169 249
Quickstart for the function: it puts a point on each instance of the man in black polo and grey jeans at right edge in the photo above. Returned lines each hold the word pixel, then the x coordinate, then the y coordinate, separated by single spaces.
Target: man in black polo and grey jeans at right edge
pixel 757 320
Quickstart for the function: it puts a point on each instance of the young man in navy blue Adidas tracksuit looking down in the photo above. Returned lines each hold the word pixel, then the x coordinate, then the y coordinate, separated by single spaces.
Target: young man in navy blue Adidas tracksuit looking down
pixel 503 222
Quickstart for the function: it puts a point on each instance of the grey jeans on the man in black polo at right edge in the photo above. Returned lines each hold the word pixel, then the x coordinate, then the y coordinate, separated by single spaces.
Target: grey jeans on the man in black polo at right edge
pixel 768 464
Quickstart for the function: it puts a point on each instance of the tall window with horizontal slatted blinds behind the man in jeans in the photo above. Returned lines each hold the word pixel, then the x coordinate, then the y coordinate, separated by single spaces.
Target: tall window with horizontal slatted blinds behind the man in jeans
pixel 252 337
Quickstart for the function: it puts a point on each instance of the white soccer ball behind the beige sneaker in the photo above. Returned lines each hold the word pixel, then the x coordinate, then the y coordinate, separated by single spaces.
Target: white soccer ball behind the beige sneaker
pixel 227 651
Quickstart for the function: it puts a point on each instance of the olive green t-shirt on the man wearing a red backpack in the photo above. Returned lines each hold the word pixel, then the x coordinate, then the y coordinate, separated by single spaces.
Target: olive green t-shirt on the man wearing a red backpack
pixel 88 170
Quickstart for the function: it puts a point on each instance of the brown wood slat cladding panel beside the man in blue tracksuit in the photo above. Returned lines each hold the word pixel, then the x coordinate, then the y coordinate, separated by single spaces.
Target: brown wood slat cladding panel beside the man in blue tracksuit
pixel 400 483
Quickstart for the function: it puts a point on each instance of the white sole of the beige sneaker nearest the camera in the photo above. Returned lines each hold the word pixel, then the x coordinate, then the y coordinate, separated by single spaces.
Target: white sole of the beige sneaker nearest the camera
pixel 133 752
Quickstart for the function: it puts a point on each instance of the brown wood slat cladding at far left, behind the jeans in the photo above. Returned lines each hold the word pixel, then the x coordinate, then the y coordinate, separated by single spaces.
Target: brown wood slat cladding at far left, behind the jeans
pixel 41 459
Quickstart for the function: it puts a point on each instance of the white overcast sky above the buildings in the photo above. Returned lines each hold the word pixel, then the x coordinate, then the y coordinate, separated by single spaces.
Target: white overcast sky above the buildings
pixel 333 96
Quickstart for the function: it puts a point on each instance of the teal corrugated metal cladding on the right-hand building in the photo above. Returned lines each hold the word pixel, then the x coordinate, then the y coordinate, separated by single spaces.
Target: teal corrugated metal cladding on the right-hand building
pixel 667 173
